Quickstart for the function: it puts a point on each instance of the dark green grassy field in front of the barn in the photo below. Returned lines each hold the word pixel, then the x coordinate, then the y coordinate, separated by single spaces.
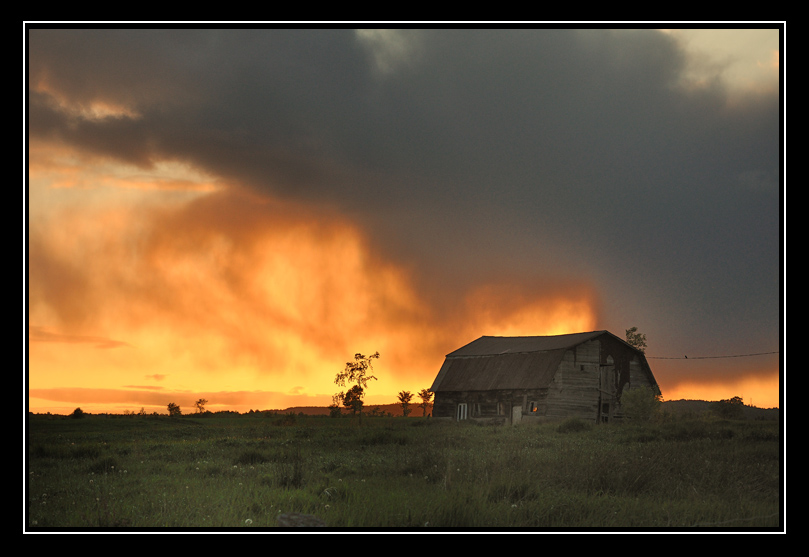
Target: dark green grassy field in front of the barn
pixel 155 472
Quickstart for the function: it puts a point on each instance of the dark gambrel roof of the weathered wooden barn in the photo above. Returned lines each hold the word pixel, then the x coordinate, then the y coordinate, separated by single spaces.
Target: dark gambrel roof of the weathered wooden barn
pixel 492 363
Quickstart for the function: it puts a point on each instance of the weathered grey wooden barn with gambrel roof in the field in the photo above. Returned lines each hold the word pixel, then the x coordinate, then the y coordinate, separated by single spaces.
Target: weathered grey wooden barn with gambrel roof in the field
pixel 512 379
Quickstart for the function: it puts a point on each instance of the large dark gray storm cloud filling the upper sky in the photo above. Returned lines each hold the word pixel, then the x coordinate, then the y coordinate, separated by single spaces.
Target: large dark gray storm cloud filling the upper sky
pixel 473 154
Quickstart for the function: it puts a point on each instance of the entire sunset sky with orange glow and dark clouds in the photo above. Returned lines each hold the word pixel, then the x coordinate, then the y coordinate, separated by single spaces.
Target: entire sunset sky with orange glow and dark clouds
pixel 233 214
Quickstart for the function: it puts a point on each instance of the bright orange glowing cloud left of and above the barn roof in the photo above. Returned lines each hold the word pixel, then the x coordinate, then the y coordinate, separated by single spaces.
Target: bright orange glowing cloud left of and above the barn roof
pixel 233 293
